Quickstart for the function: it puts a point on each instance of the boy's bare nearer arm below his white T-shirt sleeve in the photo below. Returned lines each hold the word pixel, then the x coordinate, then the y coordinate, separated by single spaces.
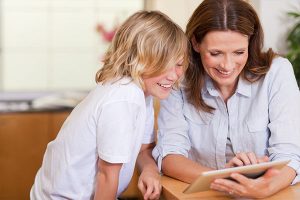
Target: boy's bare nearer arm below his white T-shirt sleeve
pixel 107 180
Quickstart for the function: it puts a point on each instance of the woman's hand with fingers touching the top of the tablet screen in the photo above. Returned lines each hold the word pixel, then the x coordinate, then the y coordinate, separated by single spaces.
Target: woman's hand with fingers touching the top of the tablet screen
pixel 248 158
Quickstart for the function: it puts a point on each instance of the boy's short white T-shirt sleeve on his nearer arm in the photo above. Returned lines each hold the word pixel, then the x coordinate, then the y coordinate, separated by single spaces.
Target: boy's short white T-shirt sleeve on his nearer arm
pixel 116 131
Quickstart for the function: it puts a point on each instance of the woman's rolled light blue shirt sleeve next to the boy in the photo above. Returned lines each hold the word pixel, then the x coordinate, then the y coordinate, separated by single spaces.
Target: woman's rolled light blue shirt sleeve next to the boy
pixel 172 129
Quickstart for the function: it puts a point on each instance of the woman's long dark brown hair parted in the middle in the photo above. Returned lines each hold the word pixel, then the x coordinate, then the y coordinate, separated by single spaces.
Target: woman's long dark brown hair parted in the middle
pixel 225 15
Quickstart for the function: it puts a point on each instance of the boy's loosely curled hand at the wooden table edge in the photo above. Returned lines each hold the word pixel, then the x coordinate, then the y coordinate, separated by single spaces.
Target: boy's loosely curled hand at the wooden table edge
pixel 149 184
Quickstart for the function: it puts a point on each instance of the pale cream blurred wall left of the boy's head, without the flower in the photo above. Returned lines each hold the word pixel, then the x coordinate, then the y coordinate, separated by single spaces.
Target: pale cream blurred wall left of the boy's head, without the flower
pixel 53 44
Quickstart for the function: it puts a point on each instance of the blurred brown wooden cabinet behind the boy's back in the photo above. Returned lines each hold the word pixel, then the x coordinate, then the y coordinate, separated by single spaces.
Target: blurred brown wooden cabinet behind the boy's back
pixel 23 140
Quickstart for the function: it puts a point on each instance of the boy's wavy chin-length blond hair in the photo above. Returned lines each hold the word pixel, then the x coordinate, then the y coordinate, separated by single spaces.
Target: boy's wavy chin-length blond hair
pixel 145 45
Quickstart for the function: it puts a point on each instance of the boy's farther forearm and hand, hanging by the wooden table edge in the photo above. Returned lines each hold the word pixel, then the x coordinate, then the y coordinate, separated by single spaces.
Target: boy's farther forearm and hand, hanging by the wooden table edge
pixel 149 181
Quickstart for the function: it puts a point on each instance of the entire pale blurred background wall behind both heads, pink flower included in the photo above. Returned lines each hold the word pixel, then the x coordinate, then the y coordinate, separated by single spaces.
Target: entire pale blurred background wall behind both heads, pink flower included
pixel 58 44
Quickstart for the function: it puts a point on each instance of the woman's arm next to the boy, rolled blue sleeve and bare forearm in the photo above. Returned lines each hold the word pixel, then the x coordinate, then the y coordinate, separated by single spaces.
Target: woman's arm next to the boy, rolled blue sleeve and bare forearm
pixel 173 143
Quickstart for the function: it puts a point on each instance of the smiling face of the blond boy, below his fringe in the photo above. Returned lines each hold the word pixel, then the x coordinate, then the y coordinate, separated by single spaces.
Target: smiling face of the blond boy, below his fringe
pixel 160 86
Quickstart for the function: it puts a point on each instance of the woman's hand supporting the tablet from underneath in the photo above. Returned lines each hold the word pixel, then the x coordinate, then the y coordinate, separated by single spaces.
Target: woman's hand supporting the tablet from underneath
pixel 247 187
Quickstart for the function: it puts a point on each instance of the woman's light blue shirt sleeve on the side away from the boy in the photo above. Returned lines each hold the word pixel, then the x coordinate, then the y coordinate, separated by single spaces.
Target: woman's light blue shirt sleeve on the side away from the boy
pixel 284 115
